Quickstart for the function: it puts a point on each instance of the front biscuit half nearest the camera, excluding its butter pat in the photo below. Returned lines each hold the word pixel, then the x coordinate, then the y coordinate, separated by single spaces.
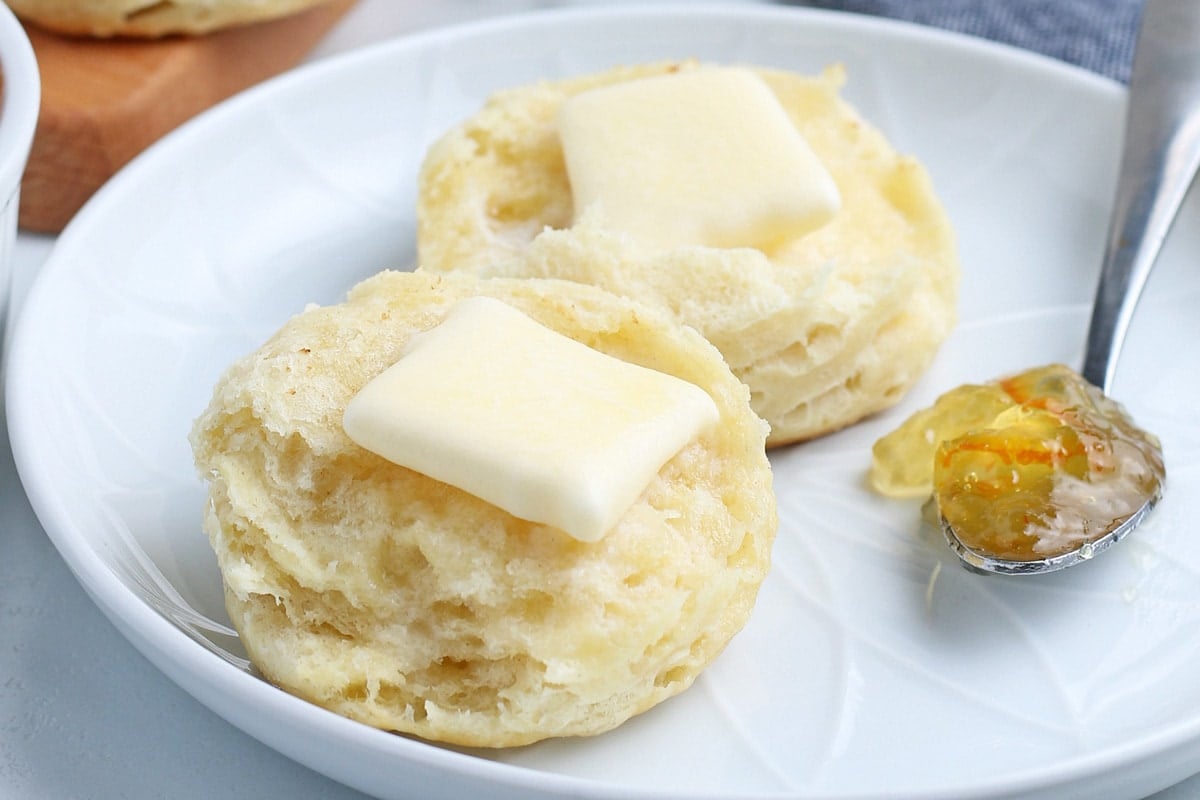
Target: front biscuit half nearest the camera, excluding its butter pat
pixel 409 605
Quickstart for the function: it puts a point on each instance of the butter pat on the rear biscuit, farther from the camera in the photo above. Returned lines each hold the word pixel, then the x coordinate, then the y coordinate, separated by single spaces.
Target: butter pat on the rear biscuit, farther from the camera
pixel 700 158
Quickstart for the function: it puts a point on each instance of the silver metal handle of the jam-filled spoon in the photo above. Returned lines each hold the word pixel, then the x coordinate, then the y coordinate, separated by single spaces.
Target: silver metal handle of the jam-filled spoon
pixel 1162 153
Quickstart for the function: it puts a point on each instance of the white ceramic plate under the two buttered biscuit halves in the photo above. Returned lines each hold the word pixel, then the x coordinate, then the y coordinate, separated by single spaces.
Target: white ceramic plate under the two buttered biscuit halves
pixel 857 676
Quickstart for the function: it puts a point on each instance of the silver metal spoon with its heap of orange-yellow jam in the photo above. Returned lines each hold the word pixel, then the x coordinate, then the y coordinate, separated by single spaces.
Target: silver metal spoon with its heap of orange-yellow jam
pixel 1042 471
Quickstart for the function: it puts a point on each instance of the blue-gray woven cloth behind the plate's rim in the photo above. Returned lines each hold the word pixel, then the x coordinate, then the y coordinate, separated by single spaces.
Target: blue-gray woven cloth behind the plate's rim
pixel 1097 35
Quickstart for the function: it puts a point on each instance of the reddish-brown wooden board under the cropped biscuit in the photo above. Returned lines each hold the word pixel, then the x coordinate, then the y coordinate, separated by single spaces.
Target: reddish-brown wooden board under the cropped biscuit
pixel 105 101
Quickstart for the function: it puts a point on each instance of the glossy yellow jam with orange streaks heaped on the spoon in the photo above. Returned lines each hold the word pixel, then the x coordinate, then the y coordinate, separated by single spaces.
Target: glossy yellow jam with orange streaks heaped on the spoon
pixel 1024 468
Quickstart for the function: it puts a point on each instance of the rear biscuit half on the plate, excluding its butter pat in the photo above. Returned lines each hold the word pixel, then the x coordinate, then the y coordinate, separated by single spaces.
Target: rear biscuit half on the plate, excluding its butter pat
pixel 836 327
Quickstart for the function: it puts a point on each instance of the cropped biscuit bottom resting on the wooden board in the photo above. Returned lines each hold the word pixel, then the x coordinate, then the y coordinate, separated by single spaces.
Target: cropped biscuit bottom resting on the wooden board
pixel 151 19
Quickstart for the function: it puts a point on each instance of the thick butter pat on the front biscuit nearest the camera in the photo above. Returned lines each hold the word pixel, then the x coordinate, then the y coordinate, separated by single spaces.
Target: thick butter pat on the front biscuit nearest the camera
pixel 530 420
